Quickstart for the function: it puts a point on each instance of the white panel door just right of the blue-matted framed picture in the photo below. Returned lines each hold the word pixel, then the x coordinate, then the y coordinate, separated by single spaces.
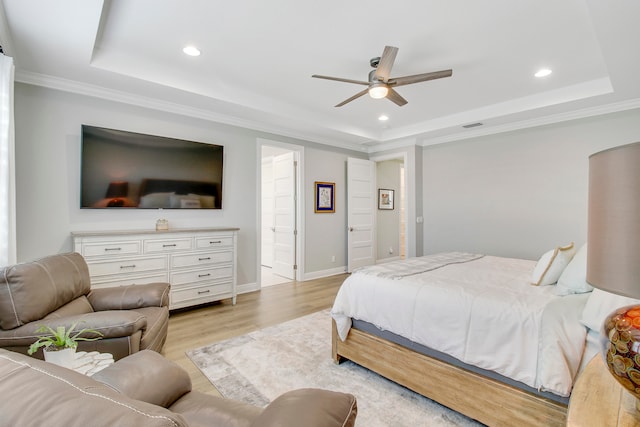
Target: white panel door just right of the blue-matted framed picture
pixel 361 204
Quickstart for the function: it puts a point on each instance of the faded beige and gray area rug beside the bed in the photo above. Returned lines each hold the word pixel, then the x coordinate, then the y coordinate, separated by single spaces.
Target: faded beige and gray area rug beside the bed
pixel 258 367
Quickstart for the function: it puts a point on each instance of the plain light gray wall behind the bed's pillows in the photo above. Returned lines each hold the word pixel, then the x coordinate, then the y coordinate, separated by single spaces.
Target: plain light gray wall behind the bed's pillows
pixel 516 194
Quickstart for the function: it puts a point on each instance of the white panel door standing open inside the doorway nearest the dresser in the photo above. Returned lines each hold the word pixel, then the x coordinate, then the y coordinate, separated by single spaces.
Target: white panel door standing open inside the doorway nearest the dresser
pixel 284 215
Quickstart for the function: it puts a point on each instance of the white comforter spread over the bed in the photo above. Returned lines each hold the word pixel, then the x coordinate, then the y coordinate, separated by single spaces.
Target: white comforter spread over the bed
pixel 483 312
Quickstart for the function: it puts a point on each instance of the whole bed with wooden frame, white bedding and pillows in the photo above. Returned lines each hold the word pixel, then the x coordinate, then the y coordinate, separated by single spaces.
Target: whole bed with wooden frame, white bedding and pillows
pixel 471 331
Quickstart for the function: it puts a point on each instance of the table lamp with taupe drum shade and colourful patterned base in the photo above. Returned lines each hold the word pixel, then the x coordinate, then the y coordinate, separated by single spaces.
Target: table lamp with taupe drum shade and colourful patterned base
pixel 613 256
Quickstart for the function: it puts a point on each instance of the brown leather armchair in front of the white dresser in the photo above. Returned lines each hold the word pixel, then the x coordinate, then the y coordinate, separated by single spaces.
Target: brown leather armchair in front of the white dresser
pixel 56 291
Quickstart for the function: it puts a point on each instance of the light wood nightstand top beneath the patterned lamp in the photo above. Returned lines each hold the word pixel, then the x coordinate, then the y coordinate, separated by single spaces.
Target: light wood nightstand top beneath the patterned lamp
pixel 599 400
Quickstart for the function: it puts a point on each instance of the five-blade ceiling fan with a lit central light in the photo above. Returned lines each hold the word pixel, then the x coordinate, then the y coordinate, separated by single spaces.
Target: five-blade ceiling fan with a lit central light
pixel 380 85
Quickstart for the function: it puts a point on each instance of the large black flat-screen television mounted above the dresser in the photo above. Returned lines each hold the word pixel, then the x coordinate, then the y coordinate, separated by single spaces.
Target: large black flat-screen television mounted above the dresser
pixel 123 169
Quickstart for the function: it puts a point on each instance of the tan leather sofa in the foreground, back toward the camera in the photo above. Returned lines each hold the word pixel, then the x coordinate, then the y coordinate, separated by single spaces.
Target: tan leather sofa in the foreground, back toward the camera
pixel 145 389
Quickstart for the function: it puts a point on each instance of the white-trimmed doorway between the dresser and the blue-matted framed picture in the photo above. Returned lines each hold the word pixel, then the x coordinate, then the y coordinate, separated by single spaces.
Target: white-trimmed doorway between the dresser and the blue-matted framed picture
pixel 280 223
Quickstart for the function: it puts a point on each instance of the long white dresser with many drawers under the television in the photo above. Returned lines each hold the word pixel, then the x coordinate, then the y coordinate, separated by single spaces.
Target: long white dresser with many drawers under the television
pixel 199 263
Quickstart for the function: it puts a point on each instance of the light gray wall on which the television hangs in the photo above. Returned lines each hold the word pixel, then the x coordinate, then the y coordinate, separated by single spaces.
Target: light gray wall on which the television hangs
pixel 48 167
